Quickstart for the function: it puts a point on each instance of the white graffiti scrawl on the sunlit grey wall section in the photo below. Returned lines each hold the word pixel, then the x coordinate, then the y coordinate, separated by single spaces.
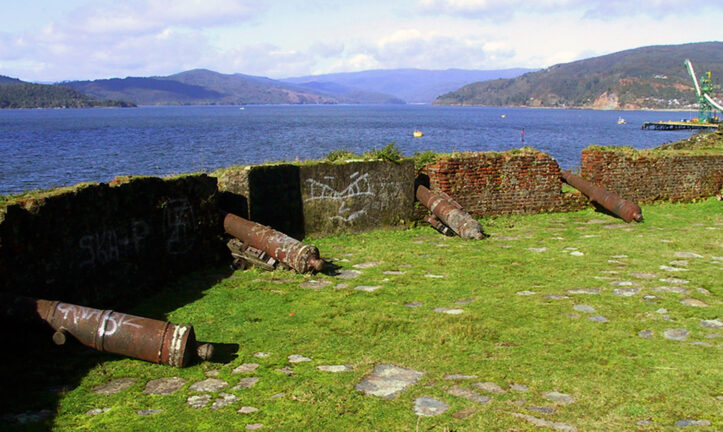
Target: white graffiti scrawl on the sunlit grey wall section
pixel 359 187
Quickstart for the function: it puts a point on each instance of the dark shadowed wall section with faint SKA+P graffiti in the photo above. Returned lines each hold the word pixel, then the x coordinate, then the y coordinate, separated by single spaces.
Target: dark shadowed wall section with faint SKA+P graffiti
pixel 108 244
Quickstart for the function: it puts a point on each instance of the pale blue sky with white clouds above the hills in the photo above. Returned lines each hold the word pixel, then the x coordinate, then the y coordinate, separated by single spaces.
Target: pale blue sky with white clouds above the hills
pixel 54 40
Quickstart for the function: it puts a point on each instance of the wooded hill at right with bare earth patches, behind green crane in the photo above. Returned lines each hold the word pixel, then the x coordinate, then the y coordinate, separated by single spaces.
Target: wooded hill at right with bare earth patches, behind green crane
pixel 648 77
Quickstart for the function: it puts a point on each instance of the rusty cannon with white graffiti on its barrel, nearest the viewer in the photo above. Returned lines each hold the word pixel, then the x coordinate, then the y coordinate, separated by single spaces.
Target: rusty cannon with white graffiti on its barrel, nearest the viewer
pixel 118 333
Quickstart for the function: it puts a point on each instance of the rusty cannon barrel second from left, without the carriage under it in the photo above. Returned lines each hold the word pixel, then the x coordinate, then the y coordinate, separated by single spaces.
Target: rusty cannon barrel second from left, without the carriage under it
pixel 299 256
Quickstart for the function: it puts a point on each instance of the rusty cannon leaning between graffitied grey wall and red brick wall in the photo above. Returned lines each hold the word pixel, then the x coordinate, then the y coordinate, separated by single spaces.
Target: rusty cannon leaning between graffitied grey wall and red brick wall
pixel 447 214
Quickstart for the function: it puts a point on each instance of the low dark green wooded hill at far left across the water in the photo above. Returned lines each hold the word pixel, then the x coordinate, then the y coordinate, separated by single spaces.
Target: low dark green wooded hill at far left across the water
pixel 18 94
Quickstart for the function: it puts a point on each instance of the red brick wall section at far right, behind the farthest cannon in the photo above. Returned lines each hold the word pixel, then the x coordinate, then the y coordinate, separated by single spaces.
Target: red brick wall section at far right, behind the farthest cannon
pixel 645 177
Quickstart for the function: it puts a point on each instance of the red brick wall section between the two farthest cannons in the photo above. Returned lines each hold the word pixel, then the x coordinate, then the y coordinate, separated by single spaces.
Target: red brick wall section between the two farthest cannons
pixel 524 181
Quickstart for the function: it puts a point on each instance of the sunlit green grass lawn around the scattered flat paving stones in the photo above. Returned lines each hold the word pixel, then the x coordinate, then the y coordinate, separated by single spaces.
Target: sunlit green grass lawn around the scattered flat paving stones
pixel 616 377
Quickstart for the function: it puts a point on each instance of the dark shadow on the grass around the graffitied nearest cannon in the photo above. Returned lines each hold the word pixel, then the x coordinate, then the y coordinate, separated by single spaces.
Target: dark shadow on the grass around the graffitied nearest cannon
pixel 35 374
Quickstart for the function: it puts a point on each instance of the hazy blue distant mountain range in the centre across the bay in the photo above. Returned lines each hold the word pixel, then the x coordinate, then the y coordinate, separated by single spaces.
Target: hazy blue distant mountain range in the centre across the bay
pixel 202 86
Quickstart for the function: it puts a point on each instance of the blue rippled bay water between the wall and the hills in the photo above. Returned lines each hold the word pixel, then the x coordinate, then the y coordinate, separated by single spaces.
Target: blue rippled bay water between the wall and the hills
pixel 45 148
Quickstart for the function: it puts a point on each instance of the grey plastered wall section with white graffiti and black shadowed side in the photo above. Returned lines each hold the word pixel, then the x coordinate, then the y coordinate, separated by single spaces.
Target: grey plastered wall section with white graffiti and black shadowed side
pixel 321 198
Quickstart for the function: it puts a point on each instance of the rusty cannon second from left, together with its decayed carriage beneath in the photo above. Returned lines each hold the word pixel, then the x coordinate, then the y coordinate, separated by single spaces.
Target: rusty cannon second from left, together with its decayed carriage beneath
pixel 258 243
